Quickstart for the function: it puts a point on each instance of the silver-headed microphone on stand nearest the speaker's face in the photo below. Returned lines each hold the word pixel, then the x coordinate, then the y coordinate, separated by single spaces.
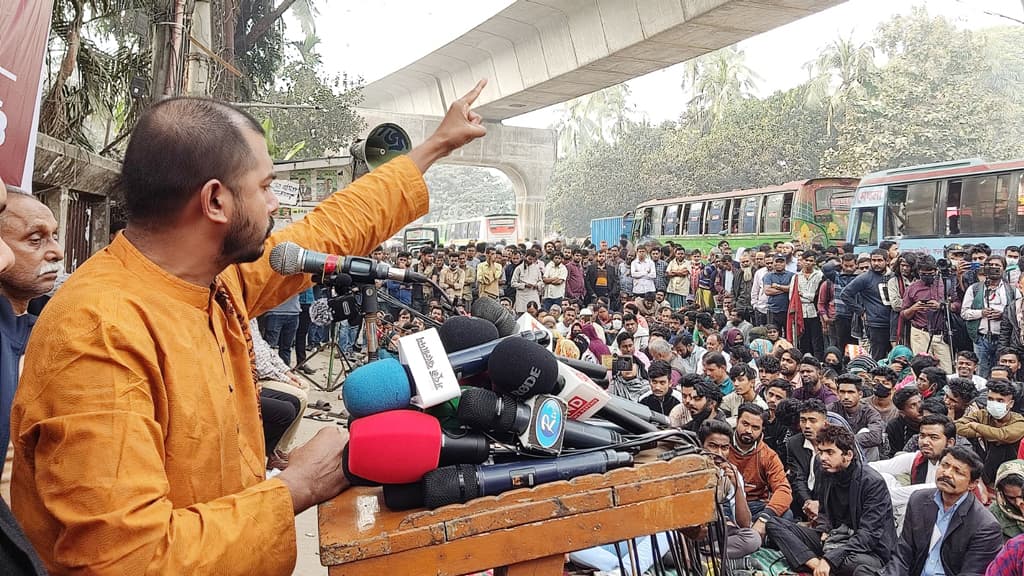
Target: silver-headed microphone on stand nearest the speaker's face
pixel 289 259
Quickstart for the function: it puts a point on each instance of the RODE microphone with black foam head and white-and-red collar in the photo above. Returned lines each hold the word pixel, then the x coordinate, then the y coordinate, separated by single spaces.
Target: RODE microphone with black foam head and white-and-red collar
pixel 524 369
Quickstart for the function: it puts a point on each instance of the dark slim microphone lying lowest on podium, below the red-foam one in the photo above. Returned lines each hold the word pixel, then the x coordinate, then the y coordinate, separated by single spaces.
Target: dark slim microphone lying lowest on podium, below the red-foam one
pixel 460 484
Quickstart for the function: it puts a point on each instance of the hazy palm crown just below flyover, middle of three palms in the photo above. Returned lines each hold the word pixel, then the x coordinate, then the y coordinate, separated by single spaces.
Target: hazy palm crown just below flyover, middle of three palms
pixel 717 80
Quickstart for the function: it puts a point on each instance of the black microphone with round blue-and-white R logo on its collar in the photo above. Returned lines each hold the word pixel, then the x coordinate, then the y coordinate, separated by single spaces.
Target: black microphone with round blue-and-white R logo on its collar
pixel 484 410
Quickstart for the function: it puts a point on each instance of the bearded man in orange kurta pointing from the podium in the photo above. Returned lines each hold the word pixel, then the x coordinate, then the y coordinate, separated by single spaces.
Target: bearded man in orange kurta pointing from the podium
pixel 137 426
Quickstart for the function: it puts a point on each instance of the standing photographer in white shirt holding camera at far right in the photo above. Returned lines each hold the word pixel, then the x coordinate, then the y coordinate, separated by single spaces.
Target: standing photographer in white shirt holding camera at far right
pixel 983 309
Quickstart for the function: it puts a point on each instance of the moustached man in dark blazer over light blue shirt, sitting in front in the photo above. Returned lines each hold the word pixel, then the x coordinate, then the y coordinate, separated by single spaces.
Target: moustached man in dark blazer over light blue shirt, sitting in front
pixel 968 536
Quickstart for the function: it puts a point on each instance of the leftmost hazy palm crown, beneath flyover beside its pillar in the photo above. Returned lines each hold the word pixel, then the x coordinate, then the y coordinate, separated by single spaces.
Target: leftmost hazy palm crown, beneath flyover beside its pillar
pixel 601 116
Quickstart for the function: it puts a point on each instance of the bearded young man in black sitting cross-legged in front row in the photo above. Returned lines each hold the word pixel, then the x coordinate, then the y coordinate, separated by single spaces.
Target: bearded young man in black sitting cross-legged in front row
pixel 854 534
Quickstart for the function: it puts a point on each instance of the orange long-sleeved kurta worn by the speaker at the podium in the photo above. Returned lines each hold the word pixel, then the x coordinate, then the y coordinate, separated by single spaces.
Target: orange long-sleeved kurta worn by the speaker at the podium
pixel 138 436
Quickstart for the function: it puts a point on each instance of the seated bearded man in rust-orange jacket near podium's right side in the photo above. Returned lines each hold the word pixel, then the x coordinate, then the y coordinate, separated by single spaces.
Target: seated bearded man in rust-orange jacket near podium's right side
pixel 769 492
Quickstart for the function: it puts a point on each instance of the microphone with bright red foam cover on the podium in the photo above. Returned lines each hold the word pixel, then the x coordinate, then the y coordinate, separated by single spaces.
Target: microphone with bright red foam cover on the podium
pixel 401 446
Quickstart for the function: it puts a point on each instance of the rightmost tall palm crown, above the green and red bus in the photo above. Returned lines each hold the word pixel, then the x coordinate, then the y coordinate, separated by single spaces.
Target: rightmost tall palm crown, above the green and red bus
pixel 842 76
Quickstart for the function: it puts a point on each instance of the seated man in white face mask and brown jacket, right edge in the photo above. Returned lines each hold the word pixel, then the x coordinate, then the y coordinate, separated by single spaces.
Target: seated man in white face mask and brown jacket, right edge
pixel 999 429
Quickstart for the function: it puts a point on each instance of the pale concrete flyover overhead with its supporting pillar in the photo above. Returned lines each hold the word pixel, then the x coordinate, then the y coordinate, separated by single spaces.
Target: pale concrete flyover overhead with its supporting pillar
pixel 541 53
